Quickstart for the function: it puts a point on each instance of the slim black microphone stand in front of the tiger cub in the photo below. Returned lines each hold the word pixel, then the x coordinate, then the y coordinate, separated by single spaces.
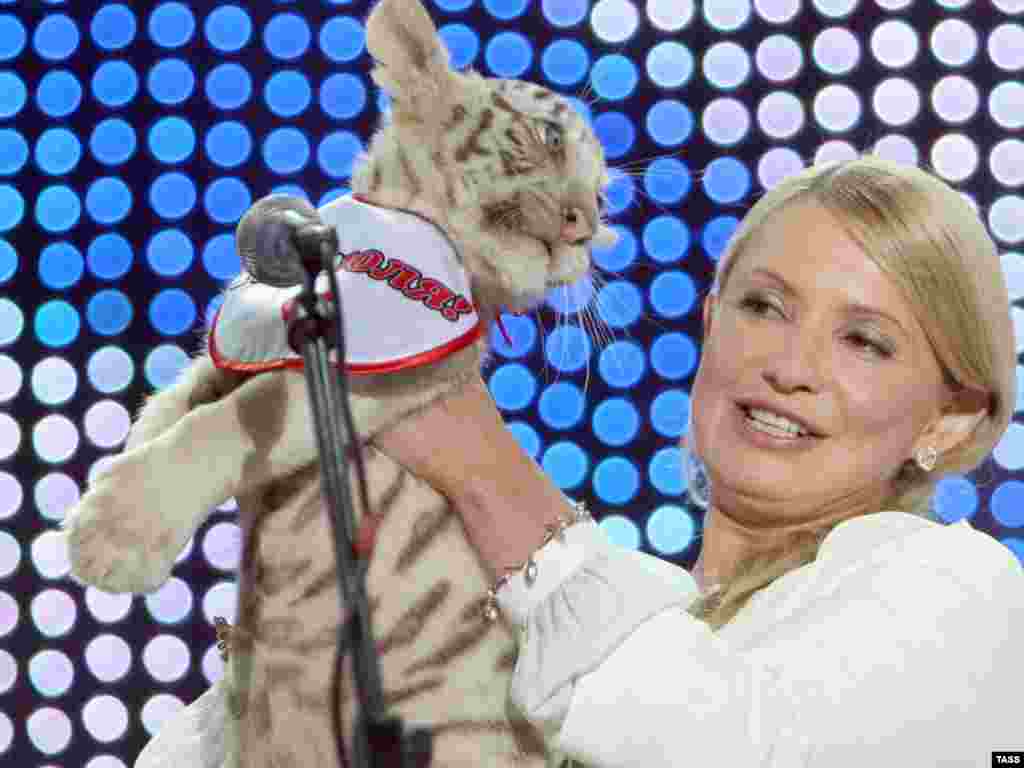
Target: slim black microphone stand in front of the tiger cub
pixel 379 742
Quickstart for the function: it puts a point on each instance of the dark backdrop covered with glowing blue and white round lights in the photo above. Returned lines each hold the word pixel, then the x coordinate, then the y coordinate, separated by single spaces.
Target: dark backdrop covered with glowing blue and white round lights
pixel 135 137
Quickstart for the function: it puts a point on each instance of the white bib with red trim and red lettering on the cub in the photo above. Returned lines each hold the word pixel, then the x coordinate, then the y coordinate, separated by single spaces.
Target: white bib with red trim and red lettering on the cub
pixel 406 301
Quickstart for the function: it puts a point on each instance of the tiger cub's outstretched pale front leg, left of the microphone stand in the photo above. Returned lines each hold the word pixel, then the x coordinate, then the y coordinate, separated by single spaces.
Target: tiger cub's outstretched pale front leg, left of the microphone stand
pixel 129 530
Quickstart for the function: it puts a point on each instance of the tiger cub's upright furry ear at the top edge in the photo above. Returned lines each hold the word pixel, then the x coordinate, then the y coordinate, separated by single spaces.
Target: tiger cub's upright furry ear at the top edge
pixel 412 63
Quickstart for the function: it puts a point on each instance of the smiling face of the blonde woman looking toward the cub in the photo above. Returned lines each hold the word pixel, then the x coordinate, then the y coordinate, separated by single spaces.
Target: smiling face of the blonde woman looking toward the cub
pixel 787 330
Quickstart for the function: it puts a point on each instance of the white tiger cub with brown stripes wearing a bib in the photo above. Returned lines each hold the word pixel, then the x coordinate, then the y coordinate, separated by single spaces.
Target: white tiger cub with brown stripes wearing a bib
pixel 511 177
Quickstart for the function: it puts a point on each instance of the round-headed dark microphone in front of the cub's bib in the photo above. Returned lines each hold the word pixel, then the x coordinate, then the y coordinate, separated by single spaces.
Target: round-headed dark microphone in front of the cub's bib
pixel 281 238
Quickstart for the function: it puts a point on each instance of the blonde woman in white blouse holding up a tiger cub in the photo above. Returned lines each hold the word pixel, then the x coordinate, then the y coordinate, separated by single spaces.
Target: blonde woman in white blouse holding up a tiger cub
pixel 830 621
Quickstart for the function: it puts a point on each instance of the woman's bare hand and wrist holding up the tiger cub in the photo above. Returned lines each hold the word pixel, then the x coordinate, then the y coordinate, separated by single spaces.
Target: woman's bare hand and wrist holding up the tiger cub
pixel 462 448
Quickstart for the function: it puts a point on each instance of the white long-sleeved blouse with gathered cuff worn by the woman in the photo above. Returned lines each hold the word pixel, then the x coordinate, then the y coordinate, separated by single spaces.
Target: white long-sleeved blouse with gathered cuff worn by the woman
pixel 902 645
